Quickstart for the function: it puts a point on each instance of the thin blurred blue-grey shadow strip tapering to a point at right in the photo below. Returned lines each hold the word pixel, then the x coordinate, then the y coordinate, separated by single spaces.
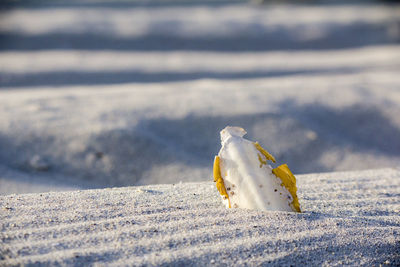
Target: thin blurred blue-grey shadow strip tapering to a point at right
pixel 65 78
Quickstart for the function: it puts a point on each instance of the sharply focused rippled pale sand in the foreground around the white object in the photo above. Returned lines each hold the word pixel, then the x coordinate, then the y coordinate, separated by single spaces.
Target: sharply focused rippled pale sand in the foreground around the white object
pixel 349 218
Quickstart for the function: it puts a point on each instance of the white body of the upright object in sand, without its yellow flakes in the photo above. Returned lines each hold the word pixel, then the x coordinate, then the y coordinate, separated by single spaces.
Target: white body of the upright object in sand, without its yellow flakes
pixel 250 184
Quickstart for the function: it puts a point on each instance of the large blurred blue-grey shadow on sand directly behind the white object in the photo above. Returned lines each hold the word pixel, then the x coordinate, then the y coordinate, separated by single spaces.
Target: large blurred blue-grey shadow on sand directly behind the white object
pixel 122 157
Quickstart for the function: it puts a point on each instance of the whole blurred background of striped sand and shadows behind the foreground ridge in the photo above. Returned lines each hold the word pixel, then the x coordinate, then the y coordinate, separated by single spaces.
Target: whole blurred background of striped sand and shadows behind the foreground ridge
pixel 100 94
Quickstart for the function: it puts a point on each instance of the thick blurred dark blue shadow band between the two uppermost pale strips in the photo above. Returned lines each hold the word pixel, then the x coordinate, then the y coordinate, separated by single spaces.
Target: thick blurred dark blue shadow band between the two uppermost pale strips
pixel 335 37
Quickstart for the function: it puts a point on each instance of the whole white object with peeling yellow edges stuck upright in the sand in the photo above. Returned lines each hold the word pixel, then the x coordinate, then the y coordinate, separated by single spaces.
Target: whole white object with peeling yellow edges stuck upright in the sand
pixel 245 180
